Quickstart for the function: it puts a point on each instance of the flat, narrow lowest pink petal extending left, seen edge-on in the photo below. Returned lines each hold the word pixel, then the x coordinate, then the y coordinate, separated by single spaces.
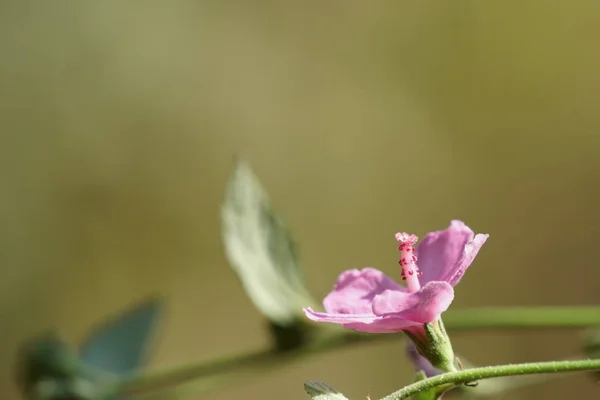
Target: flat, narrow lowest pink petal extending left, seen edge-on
pixel 367 323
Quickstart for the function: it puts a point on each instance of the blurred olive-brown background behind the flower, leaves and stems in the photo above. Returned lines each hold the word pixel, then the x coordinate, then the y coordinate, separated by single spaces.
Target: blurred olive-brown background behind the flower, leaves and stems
pixel 119 123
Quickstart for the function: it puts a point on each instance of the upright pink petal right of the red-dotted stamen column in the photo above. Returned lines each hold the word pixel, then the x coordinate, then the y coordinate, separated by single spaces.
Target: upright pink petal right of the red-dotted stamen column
pixel 442 255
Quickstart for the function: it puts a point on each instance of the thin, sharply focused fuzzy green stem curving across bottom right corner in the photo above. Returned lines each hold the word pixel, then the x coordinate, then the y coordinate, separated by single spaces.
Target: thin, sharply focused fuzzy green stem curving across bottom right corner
pixel 475 374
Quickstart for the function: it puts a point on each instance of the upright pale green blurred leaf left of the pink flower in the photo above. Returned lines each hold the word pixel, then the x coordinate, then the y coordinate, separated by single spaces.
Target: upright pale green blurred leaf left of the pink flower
pixel 260 249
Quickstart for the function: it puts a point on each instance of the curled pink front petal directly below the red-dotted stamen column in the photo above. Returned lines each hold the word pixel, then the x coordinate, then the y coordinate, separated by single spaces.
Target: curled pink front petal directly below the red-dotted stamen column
pixel 423 306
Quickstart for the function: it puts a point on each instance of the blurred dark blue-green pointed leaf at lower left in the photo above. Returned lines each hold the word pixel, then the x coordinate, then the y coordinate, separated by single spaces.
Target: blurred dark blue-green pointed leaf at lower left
pixel 119 345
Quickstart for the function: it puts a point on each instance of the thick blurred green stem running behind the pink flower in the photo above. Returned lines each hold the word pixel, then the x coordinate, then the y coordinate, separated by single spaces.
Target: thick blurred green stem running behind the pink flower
pixel 457 320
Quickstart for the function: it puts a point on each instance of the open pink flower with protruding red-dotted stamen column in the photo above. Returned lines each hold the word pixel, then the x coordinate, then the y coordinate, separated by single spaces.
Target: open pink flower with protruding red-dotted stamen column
pixel 368 301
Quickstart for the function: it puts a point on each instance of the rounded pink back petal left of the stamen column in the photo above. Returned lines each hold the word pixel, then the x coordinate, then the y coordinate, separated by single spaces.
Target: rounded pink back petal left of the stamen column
pixel 355 290
